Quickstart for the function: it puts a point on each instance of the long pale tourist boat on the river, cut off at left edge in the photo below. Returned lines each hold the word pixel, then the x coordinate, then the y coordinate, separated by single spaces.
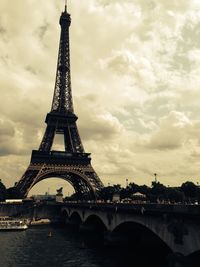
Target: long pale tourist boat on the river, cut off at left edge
pixel 7 223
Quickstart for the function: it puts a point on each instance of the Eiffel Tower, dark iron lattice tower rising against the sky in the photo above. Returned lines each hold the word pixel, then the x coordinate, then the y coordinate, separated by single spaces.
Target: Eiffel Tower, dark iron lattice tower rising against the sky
pixel 72 164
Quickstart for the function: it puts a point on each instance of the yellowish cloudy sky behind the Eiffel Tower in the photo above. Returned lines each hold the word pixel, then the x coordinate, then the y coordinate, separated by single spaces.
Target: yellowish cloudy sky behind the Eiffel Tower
pixel 135 81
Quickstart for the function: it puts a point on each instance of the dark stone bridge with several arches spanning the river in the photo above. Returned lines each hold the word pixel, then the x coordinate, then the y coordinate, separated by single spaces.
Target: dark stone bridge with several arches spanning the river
pixel 175 226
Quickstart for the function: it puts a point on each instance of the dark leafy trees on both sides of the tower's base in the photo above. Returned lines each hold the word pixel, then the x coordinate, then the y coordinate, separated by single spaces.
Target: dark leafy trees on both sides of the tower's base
pixel 187 192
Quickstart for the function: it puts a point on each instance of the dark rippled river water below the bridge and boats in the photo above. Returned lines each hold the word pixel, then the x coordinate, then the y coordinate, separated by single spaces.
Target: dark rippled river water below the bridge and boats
pixel 33 247
